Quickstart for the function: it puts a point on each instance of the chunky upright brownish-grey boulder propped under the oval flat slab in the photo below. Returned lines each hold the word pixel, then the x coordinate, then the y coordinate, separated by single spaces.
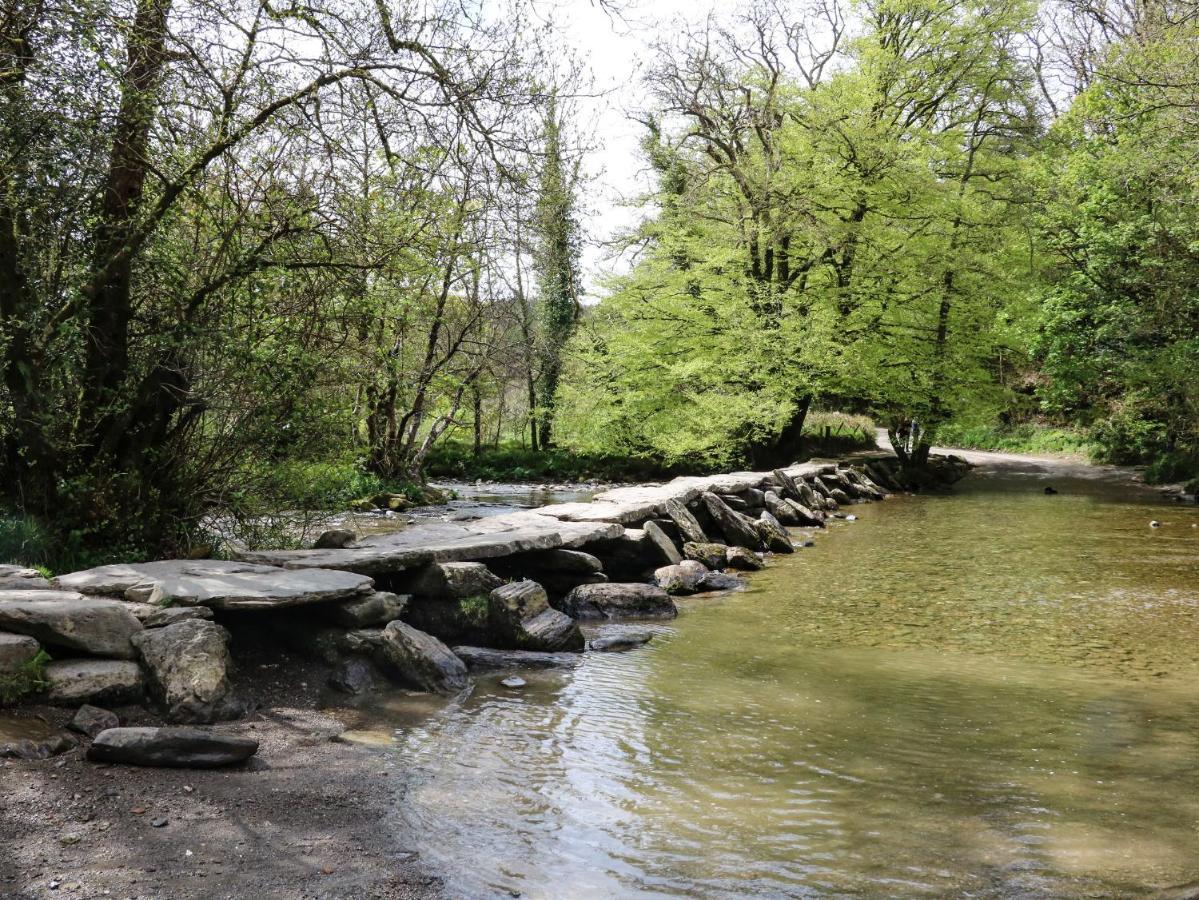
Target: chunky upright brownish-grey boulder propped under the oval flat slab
pixel 189 668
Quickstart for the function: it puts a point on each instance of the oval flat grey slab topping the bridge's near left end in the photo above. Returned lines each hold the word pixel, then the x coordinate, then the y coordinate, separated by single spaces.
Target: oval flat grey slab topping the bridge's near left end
pixel 222 584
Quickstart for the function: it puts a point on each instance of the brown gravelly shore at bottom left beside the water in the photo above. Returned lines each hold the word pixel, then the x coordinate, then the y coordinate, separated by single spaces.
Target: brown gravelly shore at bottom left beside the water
pixel 311 817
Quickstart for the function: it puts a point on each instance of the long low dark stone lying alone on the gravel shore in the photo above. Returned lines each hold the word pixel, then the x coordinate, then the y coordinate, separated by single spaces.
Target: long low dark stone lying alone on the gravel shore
pixel 176 748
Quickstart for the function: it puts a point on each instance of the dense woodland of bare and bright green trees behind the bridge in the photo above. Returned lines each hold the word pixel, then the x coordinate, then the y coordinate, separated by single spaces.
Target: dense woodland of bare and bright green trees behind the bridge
pixel 261 256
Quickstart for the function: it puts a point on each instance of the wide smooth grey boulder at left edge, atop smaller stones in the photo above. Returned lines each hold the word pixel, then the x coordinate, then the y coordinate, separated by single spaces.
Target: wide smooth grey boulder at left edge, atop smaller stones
pixel 65 619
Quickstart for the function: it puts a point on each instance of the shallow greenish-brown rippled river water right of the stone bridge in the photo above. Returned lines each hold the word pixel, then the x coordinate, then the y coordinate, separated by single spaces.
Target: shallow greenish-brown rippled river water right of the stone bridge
pixel 987 694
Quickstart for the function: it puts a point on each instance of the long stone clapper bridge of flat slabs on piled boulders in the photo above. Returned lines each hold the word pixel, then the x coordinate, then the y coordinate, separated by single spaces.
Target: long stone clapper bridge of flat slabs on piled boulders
pixel 502 591
